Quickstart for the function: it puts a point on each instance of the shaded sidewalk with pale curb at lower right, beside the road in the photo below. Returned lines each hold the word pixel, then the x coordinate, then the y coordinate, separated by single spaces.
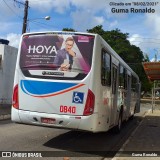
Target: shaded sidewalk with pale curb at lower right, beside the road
pixel 144 143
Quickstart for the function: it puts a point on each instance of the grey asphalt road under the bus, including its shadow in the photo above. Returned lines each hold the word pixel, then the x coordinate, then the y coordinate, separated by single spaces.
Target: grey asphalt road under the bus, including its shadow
pixel 65 143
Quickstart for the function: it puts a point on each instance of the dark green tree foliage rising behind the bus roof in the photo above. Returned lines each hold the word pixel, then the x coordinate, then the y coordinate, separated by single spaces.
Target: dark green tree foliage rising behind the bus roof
pixel 131 54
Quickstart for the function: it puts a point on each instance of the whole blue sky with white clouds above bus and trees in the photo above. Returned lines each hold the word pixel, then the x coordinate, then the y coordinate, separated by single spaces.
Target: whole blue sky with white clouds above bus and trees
pixel 143 28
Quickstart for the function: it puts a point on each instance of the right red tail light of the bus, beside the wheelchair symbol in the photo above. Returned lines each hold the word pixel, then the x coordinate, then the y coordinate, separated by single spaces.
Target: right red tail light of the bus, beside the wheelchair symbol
pixel 89 107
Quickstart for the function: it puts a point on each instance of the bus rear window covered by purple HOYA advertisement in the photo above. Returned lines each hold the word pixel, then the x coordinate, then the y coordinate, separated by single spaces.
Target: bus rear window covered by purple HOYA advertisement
pixel 57 52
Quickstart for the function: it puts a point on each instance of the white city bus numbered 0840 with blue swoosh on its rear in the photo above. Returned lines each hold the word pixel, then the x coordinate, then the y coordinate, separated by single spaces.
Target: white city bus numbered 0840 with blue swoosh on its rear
pixel 95 92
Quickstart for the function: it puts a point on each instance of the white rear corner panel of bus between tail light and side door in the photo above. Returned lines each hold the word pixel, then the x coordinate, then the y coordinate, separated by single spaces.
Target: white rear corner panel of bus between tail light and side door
pixel 100 122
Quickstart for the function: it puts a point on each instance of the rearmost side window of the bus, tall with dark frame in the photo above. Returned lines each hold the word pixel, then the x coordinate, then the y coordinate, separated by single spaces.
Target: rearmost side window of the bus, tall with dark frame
pixel 105 69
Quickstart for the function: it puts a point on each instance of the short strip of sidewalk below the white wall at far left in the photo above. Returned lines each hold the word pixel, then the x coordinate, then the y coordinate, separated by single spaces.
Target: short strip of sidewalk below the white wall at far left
pixel 5 112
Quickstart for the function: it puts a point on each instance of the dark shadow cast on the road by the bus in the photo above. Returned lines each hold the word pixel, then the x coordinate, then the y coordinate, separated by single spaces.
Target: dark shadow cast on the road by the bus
pixel 95 144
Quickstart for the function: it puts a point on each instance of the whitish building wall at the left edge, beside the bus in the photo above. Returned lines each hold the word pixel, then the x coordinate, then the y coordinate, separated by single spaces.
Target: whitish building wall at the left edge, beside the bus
pixel 8 56
